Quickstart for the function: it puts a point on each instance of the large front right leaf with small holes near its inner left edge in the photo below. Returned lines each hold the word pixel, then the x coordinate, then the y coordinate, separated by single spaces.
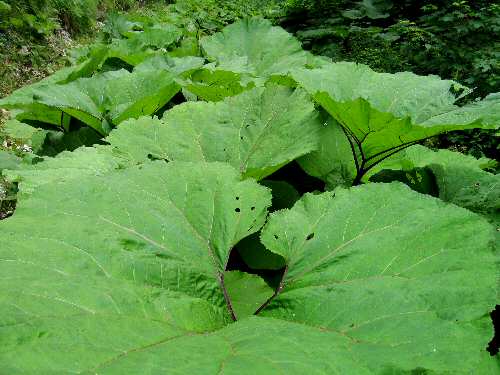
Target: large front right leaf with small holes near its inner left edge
pixel 366 262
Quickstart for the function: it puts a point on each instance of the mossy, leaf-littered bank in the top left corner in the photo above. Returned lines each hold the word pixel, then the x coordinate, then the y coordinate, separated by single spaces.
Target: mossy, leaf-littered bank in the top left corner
pixel 35 36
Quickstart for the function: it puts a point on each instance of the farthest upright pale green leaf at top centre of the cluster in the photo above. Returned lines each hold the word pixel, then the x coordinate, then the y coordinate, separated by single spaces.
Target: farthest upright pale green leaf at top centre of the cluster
pixel 239 48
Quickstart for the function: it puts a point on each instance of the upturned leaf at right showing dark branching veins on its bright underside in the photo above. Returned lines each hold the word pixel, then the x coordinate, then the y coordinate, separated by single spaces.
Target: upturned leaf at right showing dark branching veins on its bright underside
pixel 382 113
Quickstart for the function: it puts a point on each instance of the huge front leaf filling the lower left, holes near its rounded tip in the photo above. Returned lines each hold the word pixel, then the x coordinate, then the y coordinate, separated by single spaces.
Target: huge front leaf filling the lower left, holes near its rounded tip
pixel 111 281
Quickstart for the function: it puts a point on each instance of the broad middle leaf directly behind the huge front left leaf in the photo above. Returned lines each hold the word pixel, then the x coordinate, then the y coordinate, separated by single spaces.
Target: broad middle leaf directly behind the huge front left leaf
pixel 257 131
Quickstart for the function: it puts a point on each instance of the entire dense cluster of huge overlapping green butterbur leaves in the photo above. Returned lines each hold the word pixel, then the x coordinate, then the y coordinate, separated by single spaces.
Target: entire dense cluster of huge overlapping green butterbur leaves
pixel 181 243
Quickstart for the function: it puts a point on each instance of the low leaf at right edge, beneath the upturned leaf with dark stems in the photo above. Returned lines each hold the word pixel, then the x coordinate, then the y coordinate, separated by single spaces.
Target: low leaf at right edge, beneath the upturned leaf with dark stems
pixel 460 178
